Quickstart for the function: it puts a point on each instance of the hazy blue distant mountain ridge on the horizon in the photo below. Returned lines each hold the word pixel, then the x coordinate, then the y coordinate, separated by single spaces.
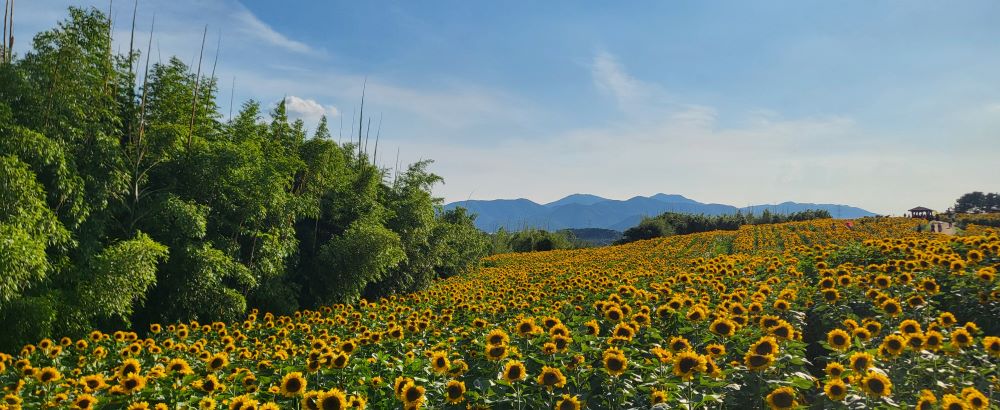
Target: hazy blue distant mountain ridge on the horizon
pixel 578 211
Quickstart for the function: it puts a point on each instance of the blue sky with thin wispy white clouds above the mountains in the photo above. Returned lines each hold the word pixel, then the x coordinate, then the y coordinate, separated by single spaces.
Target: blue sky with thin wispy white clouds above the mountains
pixel 879 104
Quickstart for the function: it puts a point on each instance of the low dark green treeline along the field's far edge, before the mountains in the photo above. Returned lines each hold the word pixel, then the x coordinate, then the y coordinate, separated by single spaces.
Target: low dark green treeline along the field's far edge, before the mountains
pixel 672 223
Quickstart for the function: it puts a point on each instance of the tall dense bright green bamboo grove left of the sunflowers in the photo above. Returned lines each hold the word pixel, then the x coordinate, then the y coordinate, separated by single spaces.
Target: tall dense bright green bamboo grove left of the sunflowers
pixel 126 199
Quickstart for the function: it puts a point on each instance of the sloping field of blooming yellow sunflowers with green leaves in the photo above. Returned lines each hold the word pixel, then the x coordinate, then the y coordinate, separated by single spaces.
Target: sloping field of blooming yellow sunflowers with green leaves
pixel 817 314
